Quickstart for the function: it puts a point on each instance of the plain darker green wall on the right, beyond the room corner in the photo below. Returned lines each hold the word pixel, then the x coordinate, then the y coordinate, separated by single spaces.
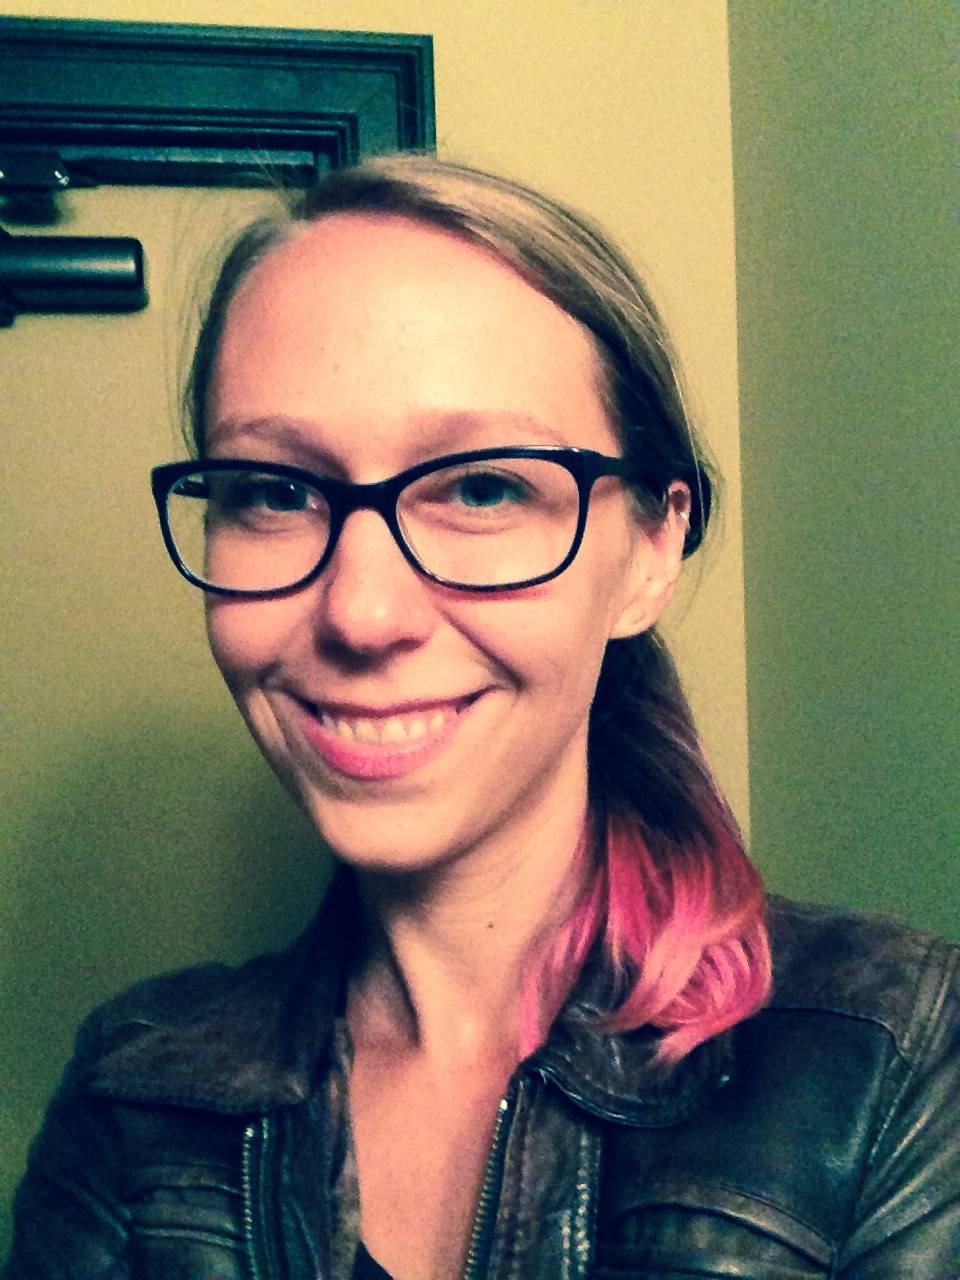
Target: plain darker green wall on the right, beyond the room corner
pixel 844 125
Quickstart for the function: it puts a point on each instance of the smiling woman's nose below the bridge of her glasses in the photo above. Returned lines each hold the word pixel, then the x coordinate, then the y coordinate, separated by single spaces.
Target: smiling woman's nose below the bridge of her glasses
pixel 372 601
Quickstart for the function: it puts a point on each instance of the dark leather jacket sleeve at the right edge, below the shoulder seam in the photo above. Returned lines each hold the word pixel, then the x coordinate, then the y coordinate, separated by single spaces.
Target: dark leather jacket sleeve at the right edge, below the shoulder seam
pixel 908 1222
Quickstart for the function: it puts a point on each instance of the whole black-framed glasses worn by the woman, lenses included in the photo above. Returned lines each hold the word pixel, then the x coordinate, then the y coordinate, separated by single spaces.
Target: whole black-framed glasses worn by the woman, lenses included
pixel 488 520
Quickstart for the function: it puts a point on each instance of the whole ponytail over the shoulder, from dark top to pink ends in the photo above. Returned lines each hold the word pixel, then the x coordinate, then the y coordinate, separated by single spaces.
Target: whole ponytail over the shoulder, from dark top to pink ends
pixel 671 899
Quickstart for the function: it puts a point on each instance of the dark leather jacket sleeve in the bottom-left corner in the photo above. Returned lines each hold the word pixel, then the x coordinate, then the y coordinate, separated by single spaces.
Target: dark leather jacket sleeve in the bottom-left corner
pixel 68 1219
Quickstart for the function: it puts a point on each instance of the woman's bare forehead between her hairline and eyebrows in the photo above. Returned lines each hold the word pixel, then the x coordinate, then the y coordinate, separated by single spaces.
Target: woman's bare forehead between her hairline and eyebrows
pixel 374 324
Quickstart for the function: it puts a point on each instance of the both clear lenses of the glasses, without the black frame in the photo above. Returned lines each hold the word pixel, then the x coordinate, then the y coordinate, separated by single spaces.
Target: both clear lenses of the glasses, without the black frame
pixel 474 524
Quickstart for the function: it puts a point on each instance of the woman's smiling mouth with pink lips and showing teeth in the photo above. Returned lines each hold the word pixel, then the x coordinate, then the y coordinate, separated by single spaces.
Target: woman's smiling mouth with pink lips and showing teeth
pixel 377 744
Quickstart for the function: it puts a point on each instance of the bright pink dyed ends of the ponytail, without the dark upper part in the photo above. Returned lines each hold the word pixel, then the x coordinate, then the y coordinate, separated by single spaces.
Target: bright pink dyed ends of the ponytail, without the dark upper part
pixel 684 938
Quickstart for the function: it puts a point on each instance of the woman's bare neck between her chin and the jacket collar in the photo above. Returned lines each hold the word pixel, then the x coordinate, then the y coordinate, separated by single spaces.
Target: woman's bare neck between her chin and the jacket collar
pixel 447 950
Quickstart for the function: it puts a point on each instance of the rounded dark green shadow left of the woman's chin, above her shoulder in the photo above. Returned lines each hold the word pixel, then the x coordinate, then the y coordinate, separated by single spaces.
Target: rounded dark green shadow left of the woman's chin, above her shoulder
pixel 157 847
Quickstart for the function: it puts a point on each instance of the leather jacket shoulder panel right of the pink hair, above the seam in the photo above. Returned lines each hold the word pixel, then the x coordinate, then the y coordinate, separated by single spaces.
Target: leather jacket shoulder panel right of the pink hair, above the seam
pixel 862 967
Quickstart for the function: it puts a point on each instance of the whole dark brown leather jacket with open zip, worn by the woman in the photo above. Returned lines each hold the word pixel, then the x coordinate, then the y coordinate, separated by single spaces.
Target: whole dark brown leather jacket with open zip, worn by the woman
pixel 193 1140
